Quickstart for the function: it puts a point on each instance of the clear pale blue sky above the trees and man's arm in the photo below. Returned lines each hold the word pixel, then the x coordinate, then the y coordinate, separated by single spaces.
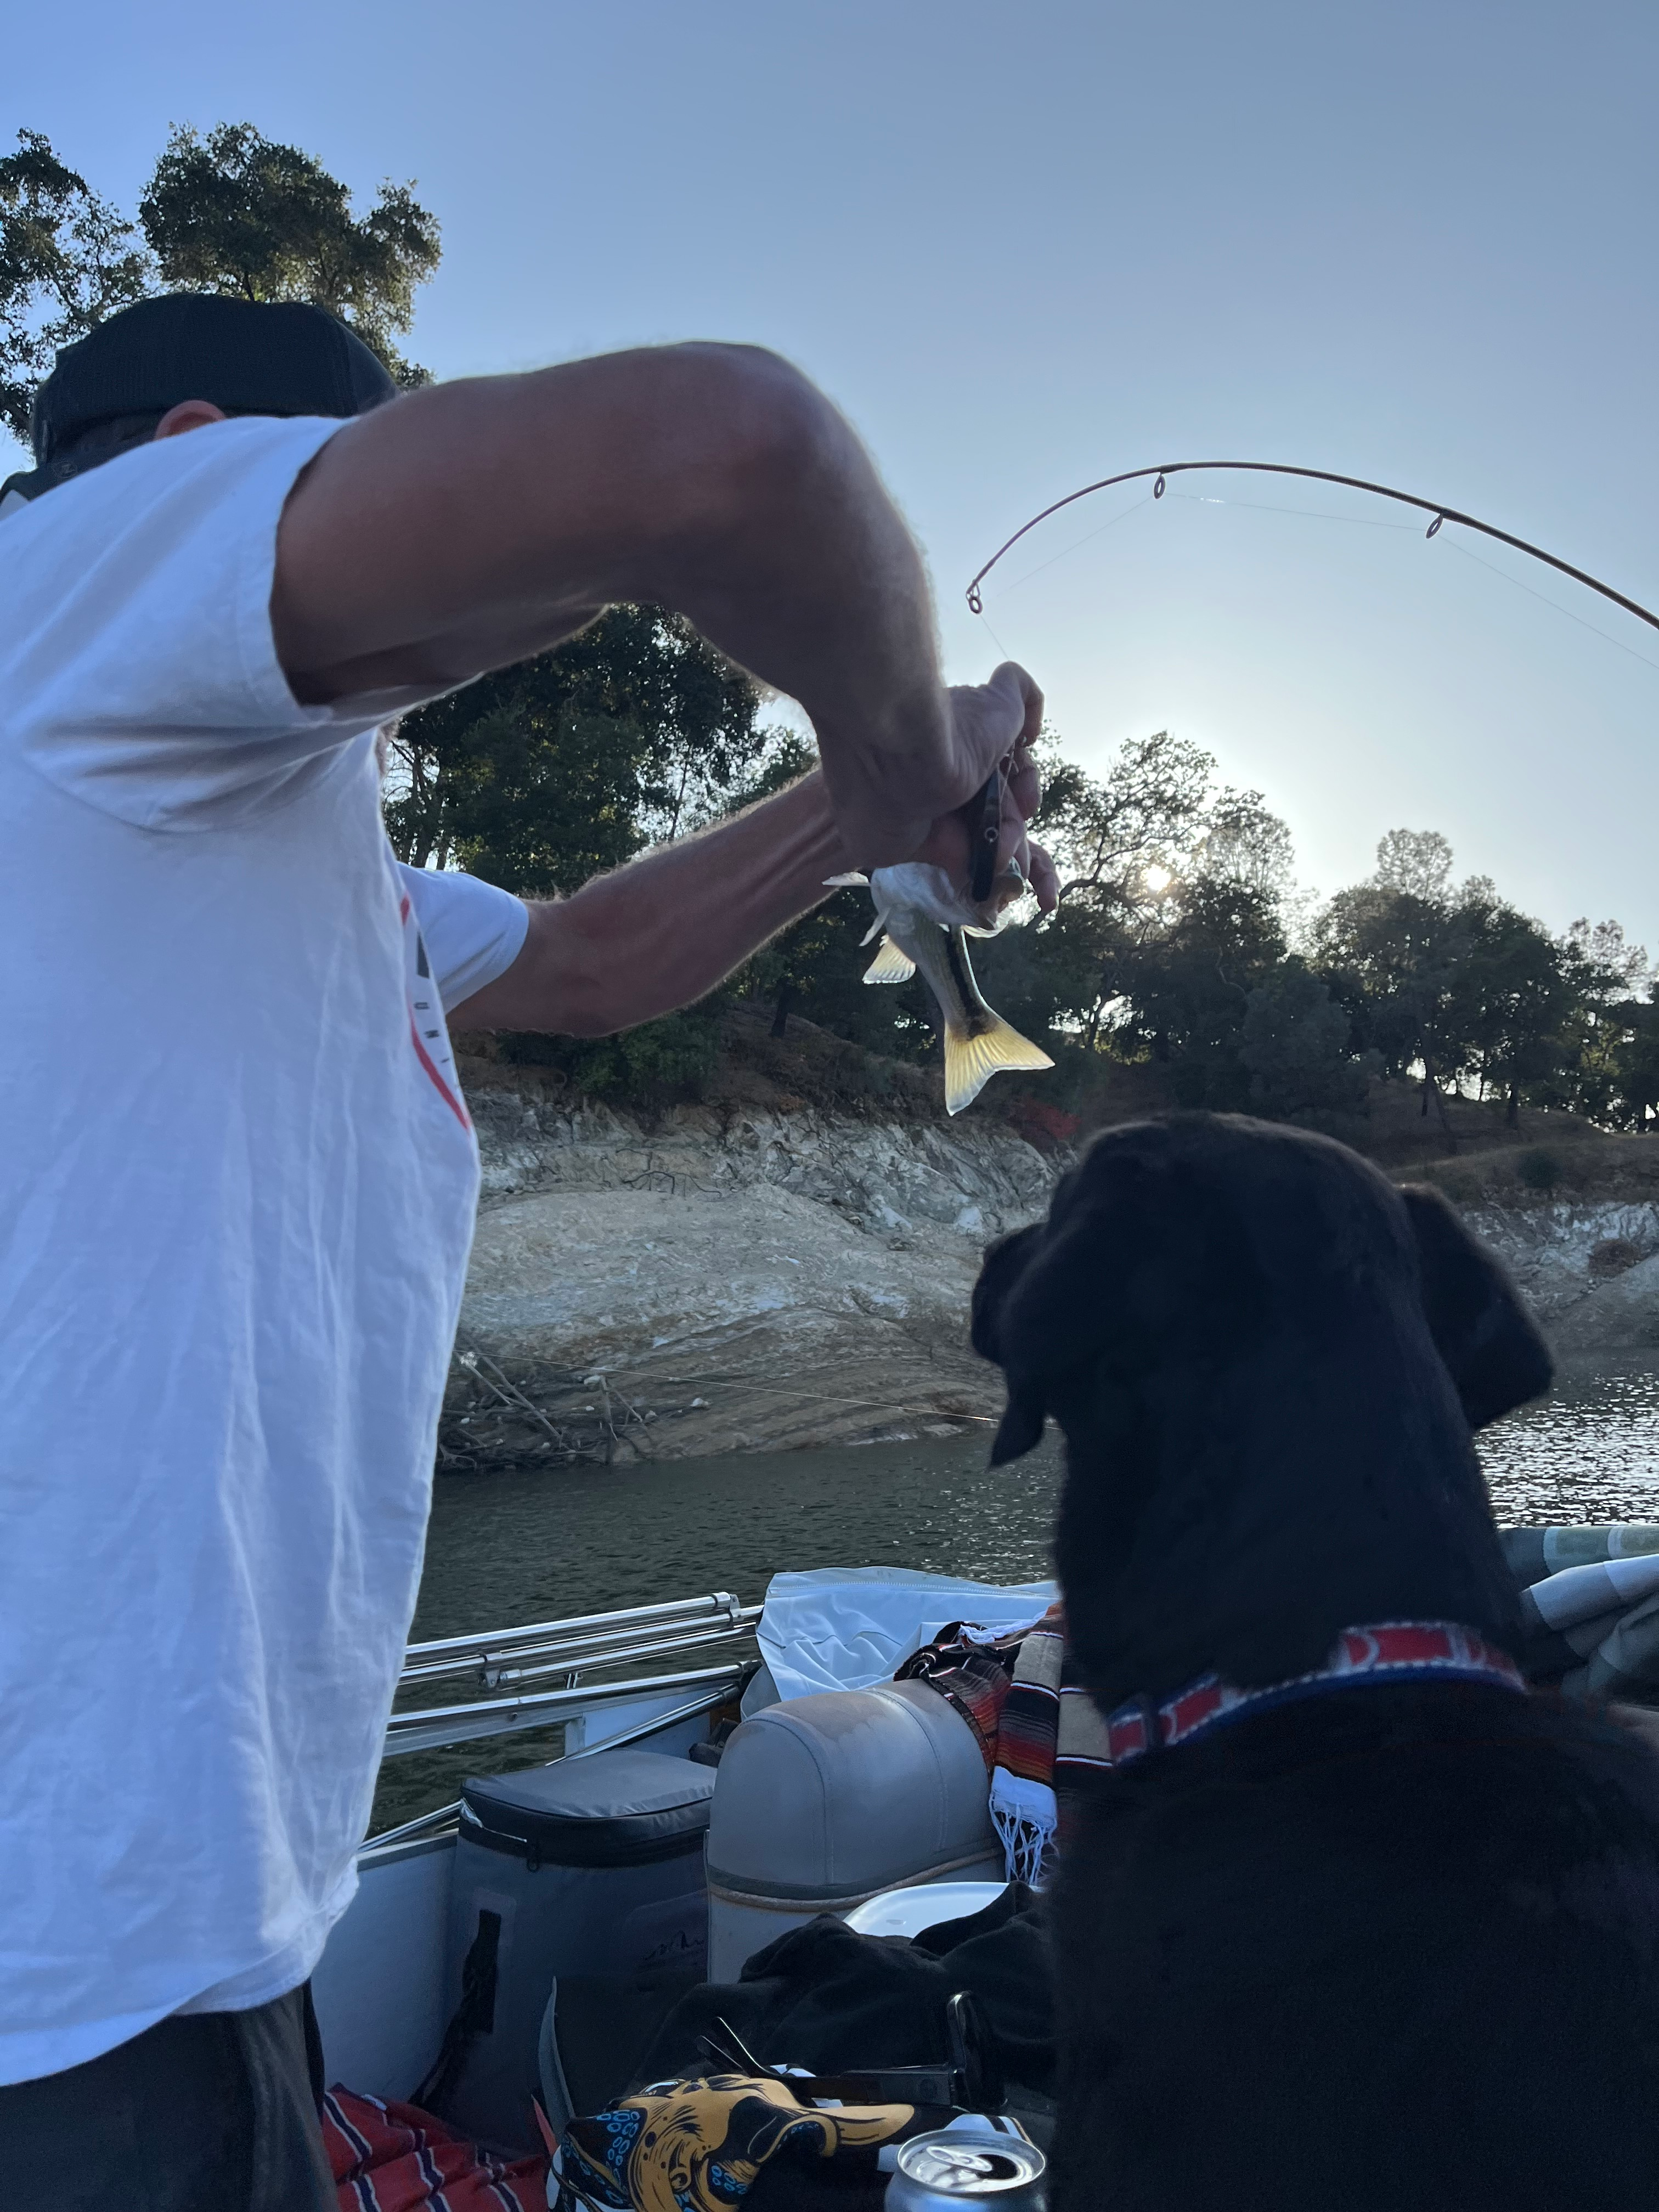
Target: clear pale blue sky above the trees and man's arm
pixel 1034 244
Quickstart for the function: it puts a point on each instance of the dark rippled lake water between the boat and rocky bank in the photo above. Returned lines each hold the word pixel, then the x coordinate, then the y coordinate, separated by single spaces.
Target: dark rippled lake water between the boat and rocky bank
pixel 534 1547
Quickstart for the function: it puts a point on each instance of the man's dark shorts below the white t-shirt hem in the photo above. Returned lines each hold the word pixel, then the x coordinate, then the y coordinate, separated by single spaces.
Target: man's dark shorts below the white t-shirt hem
pixel 202 2114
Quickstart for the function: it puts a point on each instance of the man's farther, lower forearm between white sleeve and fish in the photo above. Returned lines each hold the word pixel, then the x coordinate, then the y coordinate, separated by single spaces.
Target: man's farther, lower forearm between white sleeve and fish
pixel 669 926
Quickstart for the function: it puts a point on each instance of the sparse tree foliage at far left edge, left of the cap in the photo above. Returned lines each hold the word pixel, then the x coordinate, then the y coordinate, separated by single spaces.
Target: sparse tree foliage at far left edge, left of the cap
pixel 67 260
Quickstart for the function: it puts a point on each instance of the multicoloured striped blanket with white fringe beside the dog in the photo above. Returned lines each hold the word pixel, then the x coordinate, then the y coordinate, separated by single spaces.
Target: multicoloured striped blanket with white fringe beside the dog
pixel 1039 1729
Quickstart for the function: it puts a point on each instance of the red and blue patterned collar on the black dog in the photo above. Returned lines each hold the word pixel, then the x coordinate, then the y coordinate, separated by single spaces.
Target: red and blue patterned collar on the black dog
pixel 1388 1651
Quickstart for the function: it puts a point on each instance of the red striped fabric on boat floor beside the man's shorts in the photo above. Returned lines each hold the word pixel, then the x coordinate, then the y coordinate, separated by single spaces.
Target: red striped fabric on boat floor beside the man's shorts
pixel 395 2158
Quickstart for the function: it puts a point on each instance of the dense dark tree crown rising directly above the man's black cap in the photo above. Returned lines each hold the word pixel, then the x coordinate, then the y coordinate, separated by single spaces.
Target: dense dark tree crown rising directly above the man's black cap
pixel 244 216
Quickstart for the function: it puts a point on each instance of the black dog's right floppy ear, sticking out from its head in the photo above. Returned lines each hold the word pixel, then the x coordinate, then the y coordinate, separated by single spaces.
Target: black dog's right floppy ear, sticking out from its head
pixel 1481 1328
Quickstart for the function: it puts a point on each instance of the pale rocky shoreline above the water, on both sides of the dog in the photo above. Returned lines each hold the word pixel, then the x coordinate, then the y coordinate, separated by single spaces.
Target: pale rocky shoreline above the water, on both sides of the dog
pixel 760 1280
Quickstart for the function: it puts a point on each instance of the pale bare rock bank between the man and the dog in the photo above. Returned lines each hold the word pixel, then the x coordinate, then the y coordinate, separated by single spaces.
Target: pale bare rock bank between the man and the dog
pixel 740 1282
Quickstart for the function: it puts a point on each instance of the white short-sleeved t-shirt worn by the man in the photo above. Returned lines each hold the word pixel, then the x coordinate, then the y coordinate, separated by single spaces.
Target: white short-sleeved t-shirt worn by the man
pixel 236 1202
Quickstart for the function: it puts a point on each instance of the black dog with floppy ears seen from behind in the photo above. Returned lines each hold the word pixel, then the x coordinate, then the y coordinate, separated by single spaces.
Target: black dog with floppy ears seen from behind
pixel 1386 1945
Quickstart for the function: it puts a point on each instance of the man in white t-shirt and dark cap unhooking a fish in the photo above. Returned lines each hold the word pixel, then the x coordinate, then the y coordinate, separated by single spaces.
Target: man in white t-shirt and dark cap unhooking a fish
pixel 236 1167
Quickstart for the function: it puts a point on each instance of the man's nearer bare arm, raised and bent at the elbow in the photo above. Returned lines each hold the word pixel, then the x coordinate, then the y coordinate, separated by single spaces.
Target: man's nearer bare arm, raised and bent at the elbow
pixel 477 523
